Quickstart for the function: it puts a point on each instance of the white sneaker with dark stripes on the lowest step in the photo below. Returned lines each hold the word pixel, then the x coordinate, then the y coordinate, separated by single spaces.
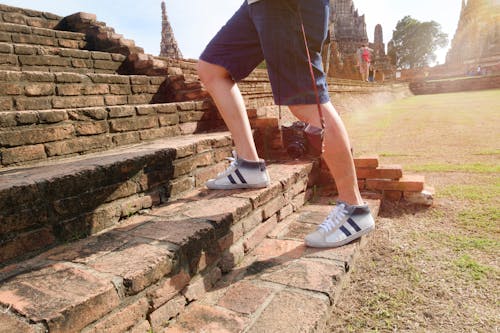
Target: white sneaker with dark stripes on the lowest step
pixel 344 224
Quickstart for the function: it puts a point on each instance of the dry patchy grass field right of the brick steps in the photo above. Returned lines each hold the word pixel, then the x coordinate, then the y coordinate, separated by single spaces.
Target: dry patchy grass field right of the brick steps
pixel 437 269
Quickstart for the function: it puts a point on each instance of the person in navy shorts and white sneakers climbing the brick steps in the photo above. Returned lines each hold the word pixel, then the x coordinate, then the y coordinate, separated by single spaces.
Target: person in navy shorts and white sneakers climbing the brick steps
pixel 267 30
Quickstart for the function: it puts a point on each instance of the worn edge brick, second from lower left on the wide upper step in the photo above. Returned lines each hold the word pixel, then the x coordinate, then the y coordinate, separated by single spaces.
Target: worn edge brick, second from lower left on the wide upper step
pixel 140 265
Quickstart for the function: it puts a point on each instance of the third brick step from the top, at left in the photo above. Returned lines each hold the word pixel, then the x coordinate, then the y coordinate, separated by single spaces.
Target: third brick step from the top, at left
pixel 25 57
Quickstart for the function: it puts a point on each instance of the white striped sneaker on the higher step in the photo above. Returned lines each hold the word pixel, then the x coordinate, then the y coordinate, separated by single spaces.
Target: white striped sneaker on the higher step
pixel 241 174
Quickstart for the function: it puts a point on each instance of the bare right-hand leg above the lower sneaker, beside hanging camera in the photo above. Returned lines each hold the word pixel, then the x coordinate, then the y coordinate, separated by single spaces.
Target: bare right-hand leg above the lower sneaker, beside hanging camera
pixel 337 153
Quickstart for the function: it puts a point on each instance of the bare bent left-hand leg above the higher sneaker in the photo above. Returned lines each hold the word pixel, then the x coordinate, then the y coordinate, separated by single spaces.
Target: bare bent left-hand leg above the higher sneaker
pixel 227 97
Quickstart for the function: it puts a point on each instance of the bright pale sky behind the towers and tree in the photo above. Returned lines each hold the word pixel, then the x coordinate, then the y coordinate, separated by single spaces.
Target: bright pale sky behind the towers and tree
pixel 194 22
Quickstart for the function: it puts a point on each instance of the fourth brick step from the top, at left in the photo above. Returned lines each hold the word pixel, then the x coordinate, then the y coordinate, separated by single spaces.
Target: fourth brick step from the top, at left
pixel 42 90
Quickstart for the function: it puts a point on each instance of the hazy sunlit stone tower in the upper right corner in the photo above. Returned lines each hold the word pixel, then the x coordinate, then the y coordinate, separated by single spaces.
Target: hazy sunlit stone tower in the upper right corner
pixel 477 38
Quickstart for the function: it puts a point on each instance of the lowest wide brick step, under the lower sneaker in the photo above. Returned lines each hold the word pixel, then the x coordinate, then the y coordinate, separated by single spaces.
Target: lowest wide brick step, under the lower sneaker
pixel 278 276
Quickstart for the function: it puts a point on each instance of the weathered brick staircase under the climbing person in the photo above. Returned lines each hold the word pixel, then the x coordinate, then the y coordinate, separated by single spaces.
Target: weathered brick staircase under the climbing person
pixel 105 225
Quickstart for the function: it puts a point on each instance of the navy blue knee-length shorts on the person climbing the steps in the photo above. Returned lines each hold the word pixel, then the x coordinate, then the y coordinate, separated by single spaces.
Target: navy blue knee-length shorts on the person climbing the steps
pixel 271 30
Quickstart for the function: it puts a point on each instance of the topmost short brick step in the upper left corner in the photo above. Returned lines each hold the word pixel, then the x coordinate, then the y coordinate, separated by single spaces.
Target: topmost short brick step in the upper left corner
pixel 33 18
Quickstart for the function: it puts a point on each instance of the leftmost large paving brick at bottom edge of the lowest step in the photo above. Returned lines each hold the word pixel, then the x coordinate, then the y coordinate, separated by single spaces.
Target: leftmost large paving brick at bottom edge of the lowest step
pixel 202 318
